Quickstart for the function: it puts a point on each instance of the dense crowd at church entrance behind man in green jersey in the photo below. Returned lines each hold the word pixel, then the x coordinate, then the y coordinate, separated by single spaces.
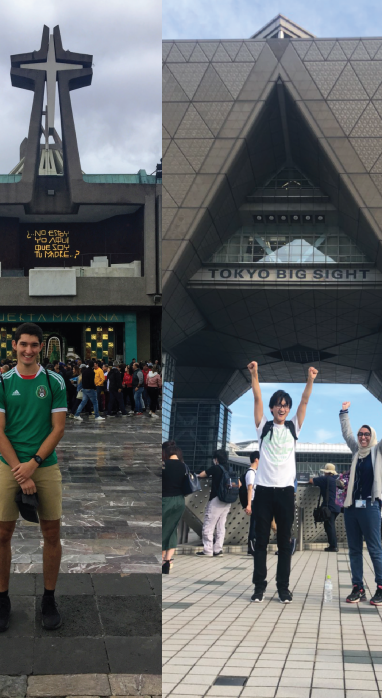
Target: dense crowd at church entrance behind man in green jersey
pixel 96 388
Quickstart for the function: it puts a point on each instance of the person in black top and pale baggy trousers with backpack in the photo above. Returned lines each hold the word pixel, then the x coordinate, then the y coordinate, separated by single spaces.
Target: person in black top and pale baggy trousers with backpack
pixel 215 515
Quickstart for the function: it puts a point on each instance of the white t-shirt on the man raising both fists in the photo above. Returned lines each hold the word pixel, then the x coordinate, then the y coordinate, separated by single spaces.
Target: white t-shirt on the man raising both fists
pixel 277 463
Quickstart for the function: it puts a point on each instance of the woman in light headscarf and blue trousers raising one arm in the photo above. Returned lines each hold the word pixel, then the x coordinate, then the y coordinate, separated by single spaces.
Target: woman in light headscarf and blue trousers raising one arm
pixel 362 506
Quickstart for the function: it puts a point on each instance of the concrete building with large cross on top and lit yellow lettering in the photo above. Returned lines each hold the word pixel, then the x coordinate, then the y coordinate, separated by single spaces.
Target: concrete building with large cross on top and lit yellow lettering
pixel 80 252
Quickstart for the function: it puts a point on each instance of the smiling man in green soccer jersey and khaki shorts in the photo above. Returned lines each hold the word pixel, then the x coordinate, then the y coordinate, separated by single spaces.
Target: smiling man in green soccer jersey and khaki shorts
pixel 32 422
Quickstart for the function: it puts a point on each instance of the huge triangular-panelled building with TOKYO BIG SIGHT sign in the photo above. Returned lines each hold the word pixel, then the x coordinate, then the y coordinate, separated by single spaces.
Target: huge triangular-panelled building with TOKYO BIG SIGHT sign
pixel 272 220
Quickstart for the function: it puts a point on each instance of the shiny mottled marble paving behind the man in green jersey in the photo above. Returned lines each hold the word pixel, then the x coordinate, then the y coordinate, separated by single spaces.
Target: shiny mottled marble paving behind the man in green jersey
pixel 111 500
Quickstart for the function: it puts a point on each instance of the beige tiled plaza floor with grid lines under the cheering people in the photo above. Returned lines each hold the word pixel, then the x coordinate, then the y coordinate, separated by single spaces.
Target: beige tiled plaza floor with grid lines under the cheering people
pixel 217 643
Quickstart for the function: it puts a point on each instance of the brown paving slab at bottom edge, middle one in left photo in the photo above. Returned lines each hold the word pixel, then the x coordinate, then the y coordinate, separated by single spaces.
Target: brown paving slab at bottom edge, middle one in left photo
pixel 60 685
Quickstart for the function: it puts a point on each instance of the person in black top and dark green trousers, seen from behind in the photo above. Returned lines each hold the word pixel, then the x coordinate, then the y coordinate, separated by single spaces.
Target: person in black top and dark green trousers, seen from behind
pixel 173 505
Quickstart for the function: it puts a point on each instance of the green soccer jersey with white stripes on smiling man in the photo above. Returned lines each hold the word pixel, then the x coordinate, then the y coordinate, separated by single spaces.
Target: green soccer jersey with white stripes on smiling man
pixel 28 405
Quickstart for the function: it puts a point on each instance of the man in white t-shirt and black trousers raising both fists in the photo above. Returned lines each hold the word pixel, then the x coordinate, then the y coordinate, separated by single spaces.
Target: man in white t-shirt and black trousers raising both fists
pixel 275 478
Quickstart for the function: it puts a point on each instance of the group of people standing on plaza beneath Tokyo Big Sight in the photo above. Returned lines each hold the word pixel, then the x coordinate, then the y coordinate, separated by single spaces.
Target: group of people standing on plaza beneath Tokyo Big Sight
pixel 269 490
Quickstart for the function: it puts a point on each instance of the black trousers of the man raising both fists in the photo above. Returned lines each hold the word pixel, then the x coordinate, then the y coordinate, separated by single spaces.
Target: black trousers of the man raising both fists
pixel 277 502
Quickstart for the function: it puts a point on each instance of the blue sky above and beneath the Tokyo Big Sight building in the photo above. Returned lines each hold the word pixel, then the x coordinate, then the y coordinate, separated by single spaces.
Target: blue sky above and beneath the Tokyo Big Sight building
pixel 238 19
